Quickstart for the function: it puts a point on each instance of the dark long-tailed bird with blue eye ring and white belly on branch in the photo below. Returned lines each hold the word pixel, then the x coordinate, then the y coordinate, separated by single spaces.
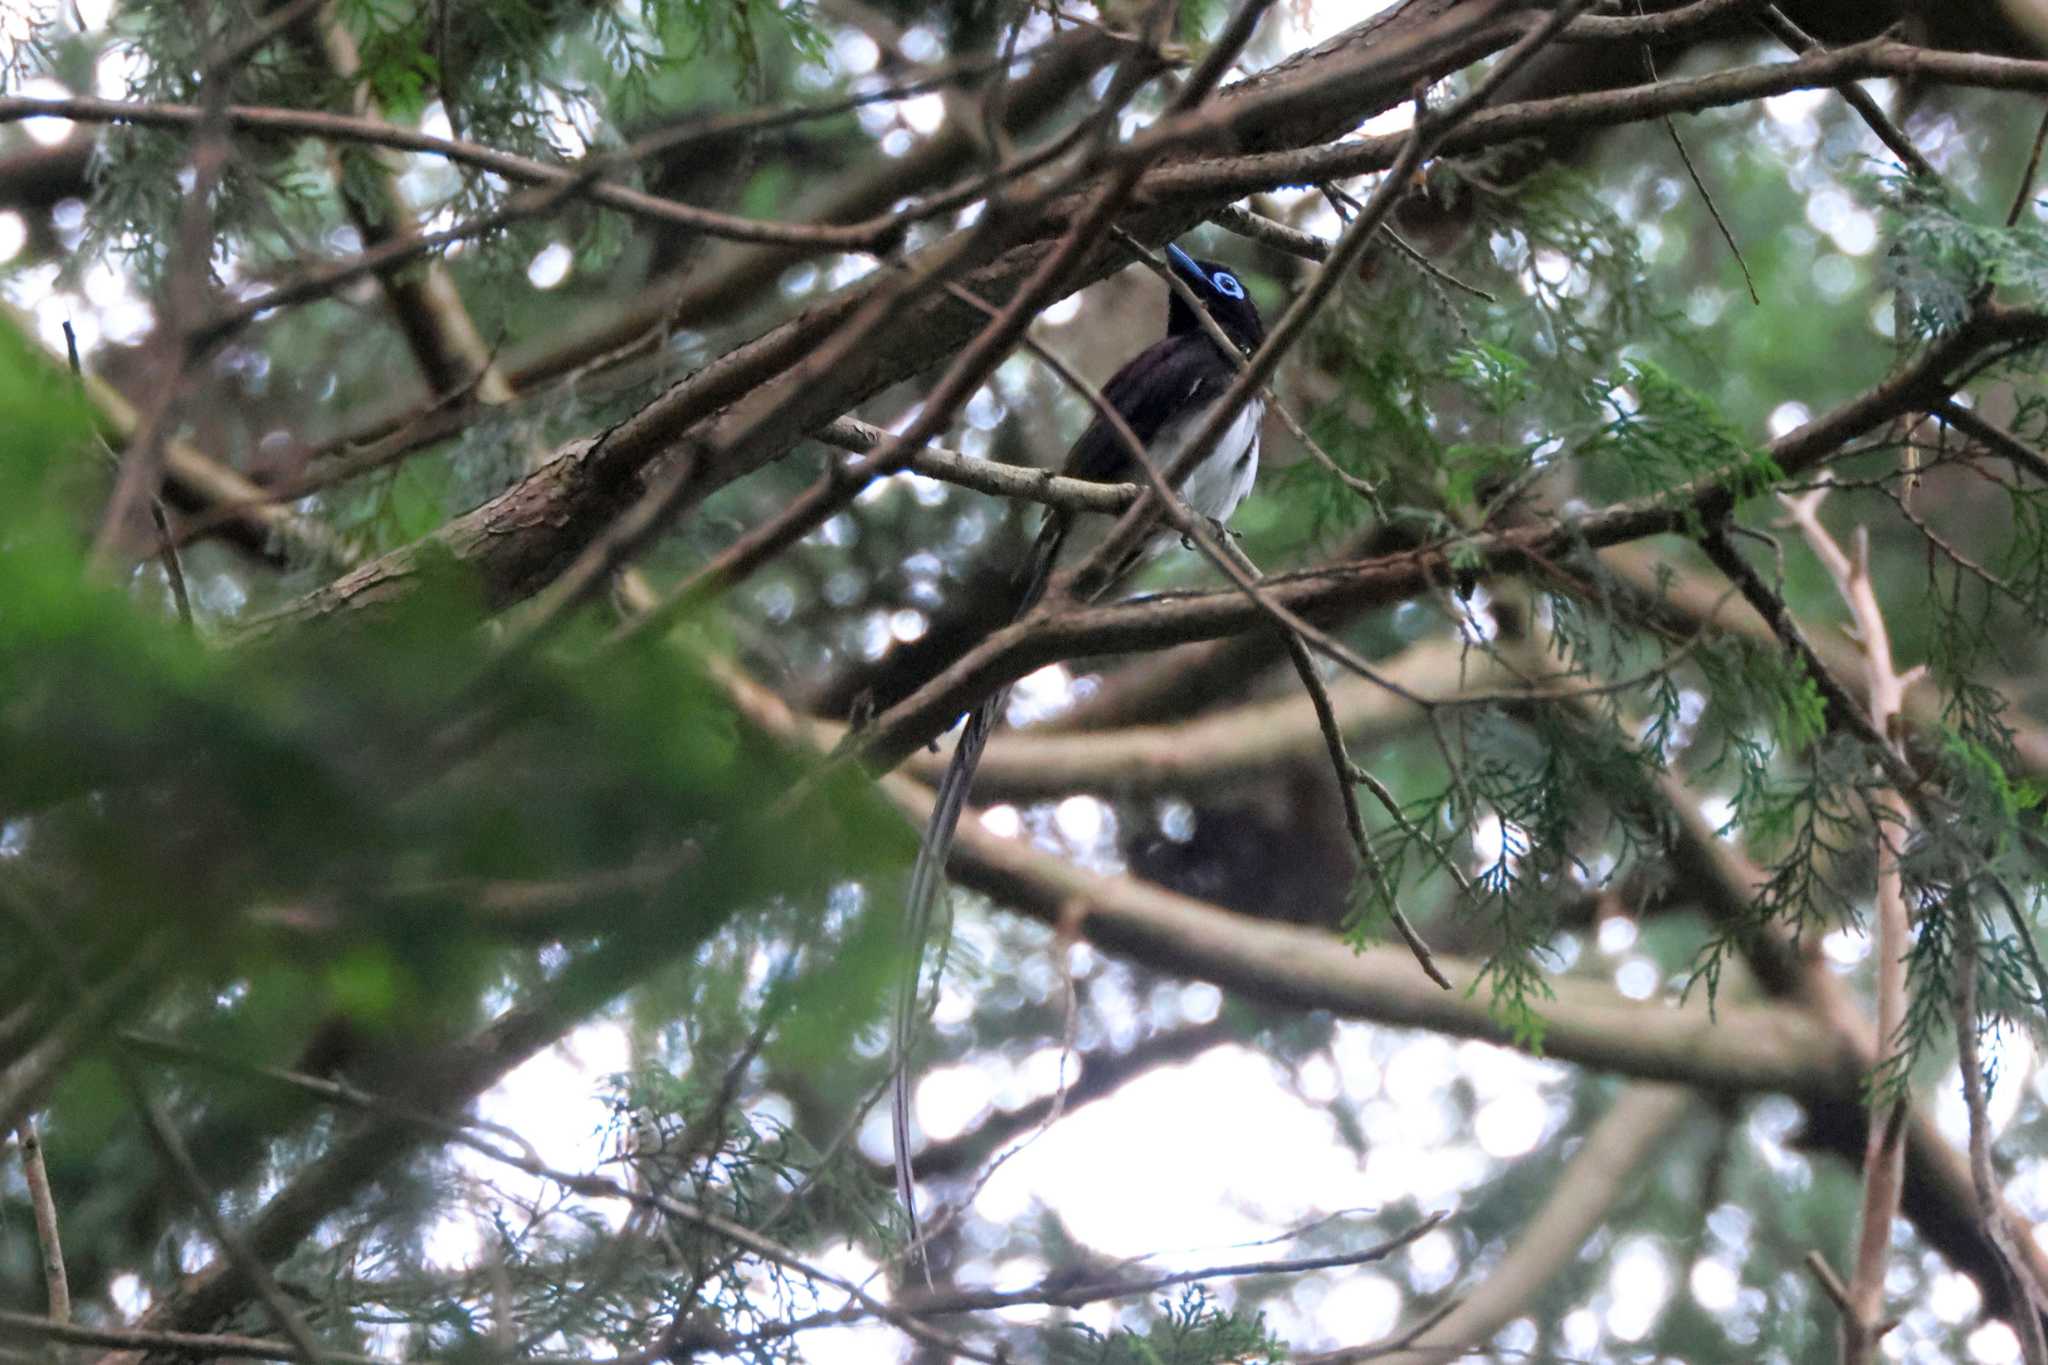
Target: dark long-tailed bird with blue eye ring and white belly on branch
pixel 1162 396
